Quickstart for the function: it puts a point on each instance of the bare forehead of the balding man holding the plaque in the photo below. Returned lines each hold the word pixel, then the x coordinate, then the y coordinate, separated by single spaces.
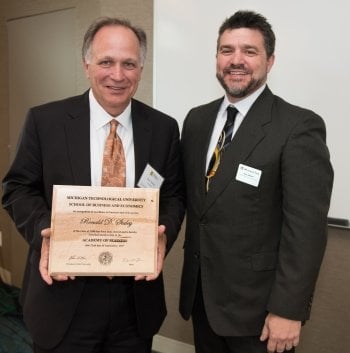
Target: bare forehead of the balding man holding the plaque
pixel 115 39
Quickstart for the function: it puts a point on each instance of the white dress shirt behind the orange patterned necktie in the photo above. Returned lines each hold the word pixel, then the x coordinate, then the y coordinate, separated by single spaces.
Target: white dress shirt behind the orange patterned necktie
pixel 99 130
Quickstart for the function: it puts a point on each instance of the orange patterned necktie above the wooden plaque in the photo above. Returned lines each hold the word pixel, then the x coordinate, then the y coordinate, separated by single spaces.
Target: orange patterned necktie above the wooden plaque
pixel 113 167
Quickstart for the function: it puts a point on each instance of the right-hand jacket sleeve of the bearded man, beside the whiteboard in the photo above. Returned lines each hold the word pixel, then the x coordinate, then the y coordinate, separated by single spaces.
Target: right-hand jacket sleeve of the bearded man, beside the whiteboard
pixel 307 179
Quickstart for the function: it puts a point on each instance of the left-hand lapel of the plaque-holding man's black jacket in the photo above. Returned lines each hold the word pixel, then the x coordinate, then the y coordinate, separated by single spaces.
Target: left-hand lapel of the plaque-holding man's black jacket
pixel 77 128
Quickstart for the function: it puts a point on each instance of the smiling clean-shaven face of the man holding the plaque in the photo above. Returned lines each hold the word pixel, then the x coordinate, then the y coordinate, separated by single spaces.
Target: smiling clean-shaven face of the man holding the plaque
pixel 113 67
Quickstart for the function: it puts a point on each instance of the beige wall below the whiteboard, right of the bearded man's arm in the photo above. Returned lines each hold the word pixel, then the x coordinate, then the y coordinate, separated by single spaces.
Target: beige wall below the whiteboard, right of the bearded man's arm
pixel 329 325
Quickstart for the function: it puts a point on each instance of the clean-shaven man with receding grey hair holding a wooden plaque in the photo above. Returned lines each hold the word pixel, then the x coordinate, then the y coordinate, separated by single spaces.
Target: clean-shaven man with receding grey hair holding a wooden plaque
pixel 63 143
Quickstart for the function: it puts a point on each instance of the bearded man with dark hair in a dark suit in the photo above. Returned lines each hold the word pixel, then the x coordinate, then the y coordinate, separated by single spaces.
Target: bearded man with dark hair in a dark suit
pixel 257 203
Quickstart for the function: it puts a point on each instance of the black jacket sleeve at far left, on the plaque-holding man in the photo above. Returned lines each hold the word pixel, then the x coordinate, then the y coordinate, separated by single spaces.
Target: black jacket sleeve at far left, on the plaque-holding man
pixel 23 190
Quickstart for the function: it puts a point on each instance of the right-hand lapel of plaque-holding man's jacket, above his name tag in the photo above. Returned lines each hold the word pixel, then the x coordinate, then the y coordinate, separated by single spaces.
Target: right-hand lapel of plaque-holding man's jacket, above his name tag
pixel 142 131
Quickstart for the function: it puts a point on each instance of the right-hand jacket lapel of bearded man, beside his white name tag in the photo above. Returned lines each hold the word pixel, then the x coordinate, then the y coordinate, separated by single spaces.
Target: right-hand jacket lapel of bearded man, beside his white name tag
pixel 248 136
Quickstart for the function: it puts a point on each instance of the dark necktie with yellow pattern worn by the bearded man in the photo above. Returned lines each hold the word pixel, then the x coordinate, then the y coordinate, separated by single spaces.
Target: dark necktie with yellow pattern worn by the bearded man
pixel 224 140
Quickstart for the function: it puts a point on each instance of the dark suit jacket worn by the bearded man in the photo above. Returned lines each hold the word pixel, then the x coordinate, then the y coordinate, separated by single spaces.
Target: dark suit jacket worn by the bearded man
pixel 258 249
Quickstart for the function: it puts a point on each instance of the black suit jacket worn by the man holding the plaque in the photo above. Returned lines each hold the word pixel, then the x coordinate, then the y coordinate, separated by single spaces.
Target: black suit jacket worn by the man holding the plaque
pixel 54 148
